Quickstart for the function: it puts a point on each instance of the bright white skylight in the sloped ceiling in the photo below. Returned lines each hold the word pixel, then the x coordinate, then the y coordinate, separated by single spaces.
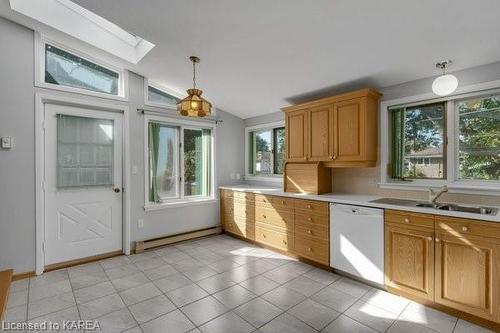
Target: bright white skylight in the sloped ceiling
pixel 78 22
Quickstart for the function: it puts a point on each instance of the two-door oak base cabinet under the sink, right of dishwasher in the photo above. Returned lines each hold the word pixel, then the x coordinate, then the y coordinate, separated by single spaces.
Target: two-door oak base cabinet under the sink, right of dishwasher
pixel 450 261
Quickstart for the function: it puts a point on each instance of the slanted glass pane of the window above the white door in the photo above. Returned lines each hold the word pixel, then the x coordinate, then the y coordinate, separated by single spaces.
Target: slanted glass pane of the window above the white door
pixel 66 69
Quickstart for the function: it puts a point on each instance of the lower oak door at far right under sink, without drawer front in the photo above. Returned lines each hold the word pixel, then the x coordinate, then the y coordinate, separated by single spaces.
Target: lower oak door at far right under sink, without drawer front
pixel 467 274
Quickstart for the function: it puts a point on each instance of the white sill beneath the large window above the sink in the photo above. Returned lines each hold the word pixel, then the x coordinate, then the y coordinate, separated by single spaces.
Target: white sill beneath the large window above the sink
pixel 454 187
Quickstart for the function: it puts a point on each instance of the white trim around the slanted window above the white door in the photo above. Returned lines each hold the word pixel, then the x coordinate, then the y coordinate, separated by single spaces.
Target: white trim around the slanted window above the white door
pixel 41 41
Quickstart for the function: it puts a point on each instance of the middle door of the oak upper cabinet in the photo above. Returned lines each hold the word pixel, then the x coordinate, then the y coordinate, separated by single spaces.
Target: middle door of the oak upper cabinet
pixel 320 137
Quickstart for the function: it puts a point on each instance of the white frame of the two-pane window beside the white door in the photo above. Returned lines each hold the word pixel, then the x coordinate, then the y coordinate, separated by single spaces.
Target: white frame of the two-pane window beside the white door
pixel 181 200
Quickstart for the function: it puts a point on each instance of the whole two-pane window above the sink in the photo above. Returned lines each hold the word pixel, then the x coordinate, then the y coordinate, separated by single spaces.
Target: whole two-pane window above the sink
pixel 456 141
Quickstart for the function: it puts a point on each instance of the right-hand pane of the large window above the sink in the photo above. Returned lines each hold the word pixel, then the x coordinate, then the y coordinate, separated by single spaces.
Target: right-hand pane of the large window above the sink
pixel 479 138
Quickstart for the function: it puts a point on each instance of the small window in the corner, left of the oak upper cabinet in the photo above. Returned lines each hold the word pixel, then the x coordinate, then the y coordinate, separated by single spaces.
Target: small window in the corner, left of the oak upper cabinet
pixel 266 151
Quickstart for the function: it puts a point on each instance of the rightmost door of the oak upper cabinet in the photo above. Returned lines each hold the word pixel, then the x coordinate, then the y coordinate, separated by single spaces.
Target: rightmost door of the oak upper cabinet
pixel 348 131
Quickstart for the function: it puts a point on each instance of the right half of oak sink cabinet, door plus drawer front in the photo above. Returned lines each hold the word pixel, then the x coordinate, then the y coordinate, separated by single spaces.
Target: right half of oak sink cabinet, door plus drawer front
pixel 467 269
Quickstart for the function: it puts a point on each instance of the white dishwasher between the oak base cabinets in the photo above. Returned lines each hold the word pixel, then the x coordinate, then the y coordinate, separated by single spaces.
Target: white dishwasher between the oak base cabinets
pixel 357 241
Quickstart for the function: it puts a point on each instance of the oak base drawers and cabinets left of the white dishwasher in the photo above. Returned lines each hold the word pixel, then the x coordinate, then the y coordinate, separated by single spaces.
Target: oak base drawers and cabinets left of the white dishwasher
pixel 299 227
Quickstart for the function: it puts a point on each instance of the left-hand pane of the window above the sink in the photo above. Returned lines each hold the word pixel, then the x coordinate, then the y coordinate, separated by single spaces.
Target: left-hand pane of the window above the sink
pixel 417 142
